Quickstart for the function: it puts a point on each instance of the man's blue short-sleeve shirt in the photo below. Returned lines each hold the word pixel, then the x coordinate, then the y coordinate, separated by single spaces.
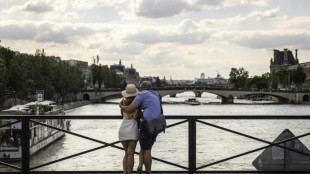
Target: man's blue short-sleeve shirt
pixel 150 102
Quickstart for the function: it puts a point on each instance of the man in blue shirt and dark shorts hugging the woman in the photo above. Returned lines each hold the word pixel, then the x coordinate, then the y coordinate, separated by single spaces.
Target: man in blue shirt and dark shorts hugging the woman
pixel 150 102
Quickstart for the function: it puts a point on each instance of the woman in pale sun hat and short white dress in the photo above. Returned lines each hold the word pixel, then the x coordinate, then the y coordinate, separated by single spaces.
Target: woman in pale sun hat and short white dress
pixel 128 131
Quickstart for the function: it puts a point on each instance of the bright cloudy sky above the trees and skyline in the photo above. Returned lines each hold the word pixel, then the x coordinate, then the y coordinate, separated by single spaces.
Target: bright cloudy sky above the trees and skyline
pixel 175 39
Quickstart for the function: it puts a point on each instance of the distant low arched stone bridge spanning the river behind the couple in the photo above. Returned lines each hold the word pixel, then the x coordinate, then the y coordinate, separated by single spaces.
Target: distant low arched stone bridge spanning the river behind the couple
pixel 227 95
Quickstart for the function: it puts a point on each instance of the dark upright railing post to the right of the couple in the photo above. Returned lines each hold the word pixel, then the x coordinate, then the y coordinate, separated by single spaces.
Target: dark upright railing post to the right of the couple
pixel 192 145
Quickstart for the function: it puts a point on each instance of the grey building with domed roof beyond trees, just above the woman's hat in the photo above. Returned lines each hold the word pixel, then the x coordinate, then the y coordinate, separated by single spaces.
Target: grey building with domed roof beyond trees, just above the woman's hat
pixel 130 74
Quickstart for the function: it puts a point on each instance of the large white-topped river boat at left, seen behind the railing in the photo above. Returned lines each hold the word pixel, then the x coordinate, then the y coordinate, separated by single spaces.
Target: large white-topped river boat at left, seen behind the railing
pixel 40 136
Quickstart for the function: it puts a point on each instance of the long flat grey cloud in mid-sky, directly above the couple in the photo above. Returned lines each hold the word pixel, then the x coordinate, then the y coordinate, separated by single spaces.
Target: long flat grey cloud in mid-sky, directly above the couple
pixel 154 37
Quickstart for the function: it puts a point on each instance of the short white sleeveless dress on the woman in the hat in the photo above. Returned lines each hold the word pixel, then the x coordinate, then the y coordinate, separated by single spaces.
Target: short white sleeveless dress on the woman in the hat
pixel 129 127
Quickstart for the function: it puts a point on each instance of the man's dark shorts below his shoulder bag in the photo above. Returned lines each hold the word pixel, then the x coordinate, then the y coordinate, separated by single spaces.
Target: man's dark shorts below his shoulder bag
pixel 146 141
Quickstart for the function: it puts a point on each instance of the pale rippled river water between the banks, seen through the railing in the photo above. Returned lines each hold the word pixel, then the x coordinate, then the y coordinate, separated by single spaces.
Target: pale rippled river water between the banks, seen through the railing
pixel 212 144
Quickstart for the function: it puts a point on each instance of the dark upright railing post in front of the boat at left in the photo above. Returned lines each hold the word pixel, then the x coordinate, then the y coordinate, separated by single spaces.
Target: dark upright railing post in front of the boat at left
pixel 25 145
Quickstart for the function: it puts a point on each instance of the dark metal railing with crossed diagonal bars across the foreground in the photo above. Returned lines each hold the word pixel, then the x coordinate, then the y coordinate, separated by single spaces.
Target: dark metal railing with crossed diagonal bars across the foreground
pixel 192 139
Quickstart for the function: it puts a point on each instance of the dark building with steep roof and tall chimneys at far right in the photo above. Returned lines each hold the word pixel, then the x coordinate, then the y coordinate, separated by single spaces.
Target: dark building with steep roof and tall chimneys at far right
pixel 286 60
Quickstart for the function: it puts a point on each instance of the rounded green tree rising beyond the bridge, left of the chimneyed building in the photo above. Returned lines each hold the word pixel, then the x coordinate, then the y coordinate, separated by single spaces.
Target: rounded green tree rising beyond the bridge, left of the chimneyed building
pixel 238 77
